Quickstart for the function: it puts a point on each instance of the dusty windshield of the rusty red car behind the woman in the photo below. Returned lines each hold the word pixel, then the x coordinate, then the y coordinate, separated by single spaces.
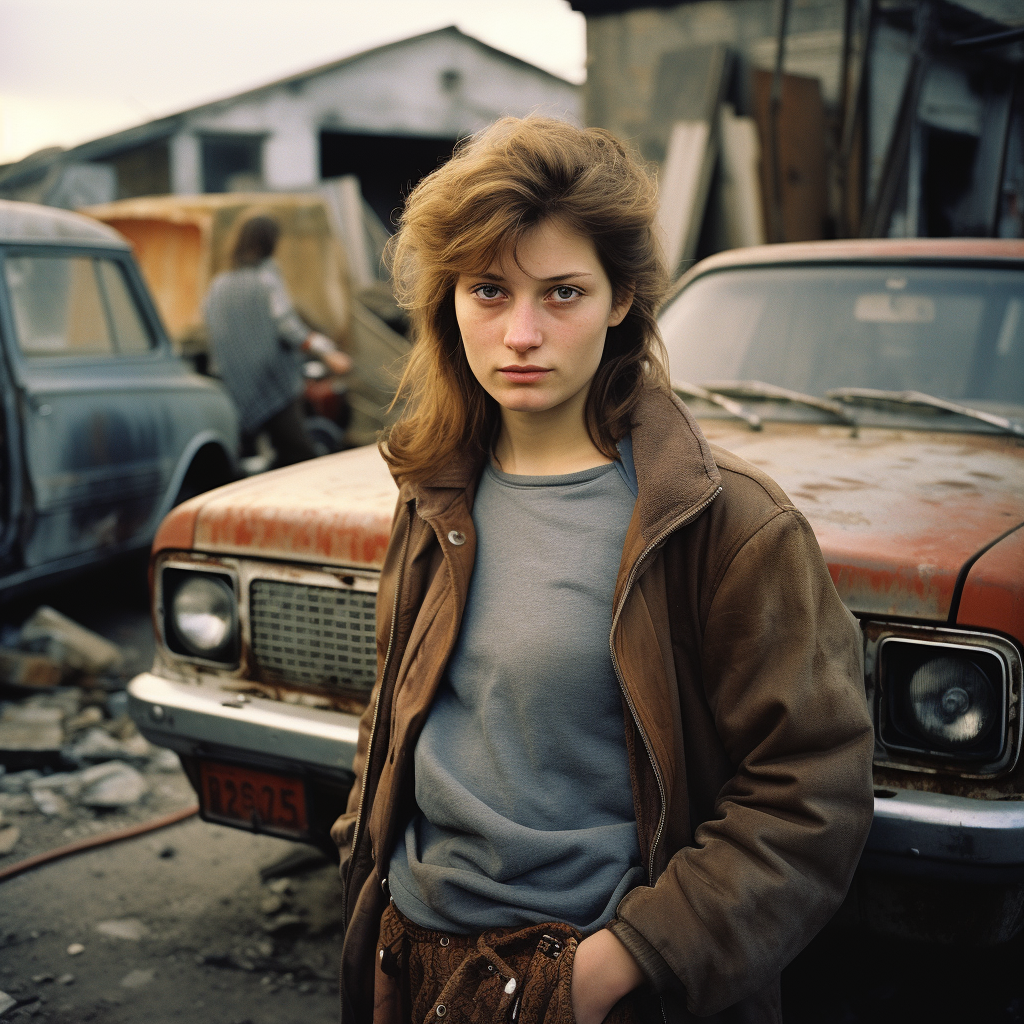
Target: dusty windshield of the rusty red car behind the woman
pixel 953 332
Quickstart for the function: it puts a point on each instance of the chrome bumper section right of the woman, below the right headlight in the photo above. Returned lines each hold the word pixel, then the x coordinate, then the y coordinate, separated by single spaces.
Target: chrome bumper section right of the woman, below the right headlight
pixel 948 837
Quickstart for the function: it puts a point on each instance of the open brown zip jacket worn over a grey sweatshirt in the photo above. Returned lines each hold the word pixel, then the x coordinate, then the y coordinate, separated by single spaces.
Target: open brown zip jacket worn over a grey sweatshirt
pixel 747 727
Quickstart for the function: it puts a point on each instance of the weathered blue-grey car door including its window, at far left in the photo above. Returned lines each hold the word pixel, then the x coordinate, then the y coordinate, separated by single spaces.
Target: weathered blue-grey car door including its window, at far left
pixel 89 360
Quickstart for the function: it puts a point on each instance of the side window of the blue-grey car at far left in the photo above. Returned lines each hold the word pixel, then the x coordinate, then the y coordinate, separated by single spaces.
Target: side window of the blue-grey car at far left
pixel 73 306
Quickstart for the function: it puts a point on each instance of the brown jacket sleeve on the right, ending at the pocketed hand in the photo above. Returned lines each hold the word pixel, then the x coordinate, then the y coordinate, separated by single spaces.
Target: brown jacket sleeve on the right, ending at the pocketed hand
pixel 783 674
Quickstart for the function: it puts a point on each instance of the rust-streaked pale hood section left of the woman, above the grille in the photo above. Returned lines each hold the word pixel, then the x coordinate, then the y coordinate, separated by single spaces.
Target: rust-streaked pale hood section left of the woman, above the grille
pixel 335 510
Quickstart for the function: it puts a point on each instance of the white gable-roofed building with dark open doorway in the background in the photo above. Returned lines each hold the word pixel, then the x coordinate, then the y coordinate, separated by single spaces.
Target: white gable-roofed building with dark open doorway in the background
pixel 388 115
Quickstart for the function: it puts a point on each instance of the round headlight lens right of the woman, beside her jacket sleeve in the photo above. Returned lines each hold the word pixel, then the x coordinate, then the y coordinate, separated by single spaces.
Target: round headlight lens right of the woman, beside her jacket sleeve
pixel 953 703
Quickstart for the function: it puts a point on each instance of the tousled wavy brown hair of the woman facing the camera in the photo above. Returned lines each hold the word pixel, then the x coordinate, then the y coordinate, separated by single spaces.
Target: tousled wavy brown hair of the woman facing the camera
pixel 478 206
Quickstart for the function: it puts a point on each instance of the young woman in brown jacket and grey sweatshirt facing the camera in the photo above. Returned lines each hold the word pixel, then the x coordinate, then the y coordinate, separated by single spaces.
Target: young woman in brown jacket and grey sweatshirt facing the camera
pixel 619 751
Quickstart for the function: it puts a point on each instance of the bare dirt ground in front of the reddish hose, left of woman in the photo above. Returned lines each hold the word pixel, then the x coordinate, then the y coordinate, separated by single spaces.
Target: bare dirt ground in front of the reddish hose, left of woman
pixel 173 926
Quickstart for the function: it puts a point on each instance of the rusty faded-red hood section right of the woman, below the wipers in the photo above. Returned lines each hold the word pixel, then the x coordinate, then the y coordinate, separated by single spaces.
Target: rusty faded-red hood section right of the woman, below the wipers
pixel 898 514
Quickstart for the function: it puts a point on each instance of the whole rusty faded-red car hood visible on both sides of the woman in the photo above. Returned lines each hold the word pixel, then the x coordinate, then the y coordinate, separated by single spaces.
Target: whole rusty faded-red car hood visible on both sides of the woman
pixel 898 514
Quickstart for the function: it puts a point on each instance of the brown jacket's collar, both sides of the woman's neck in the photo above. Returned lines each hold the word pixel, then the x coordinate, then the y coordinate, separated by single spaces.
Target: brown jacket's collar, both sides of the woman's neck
pixel 670 457
